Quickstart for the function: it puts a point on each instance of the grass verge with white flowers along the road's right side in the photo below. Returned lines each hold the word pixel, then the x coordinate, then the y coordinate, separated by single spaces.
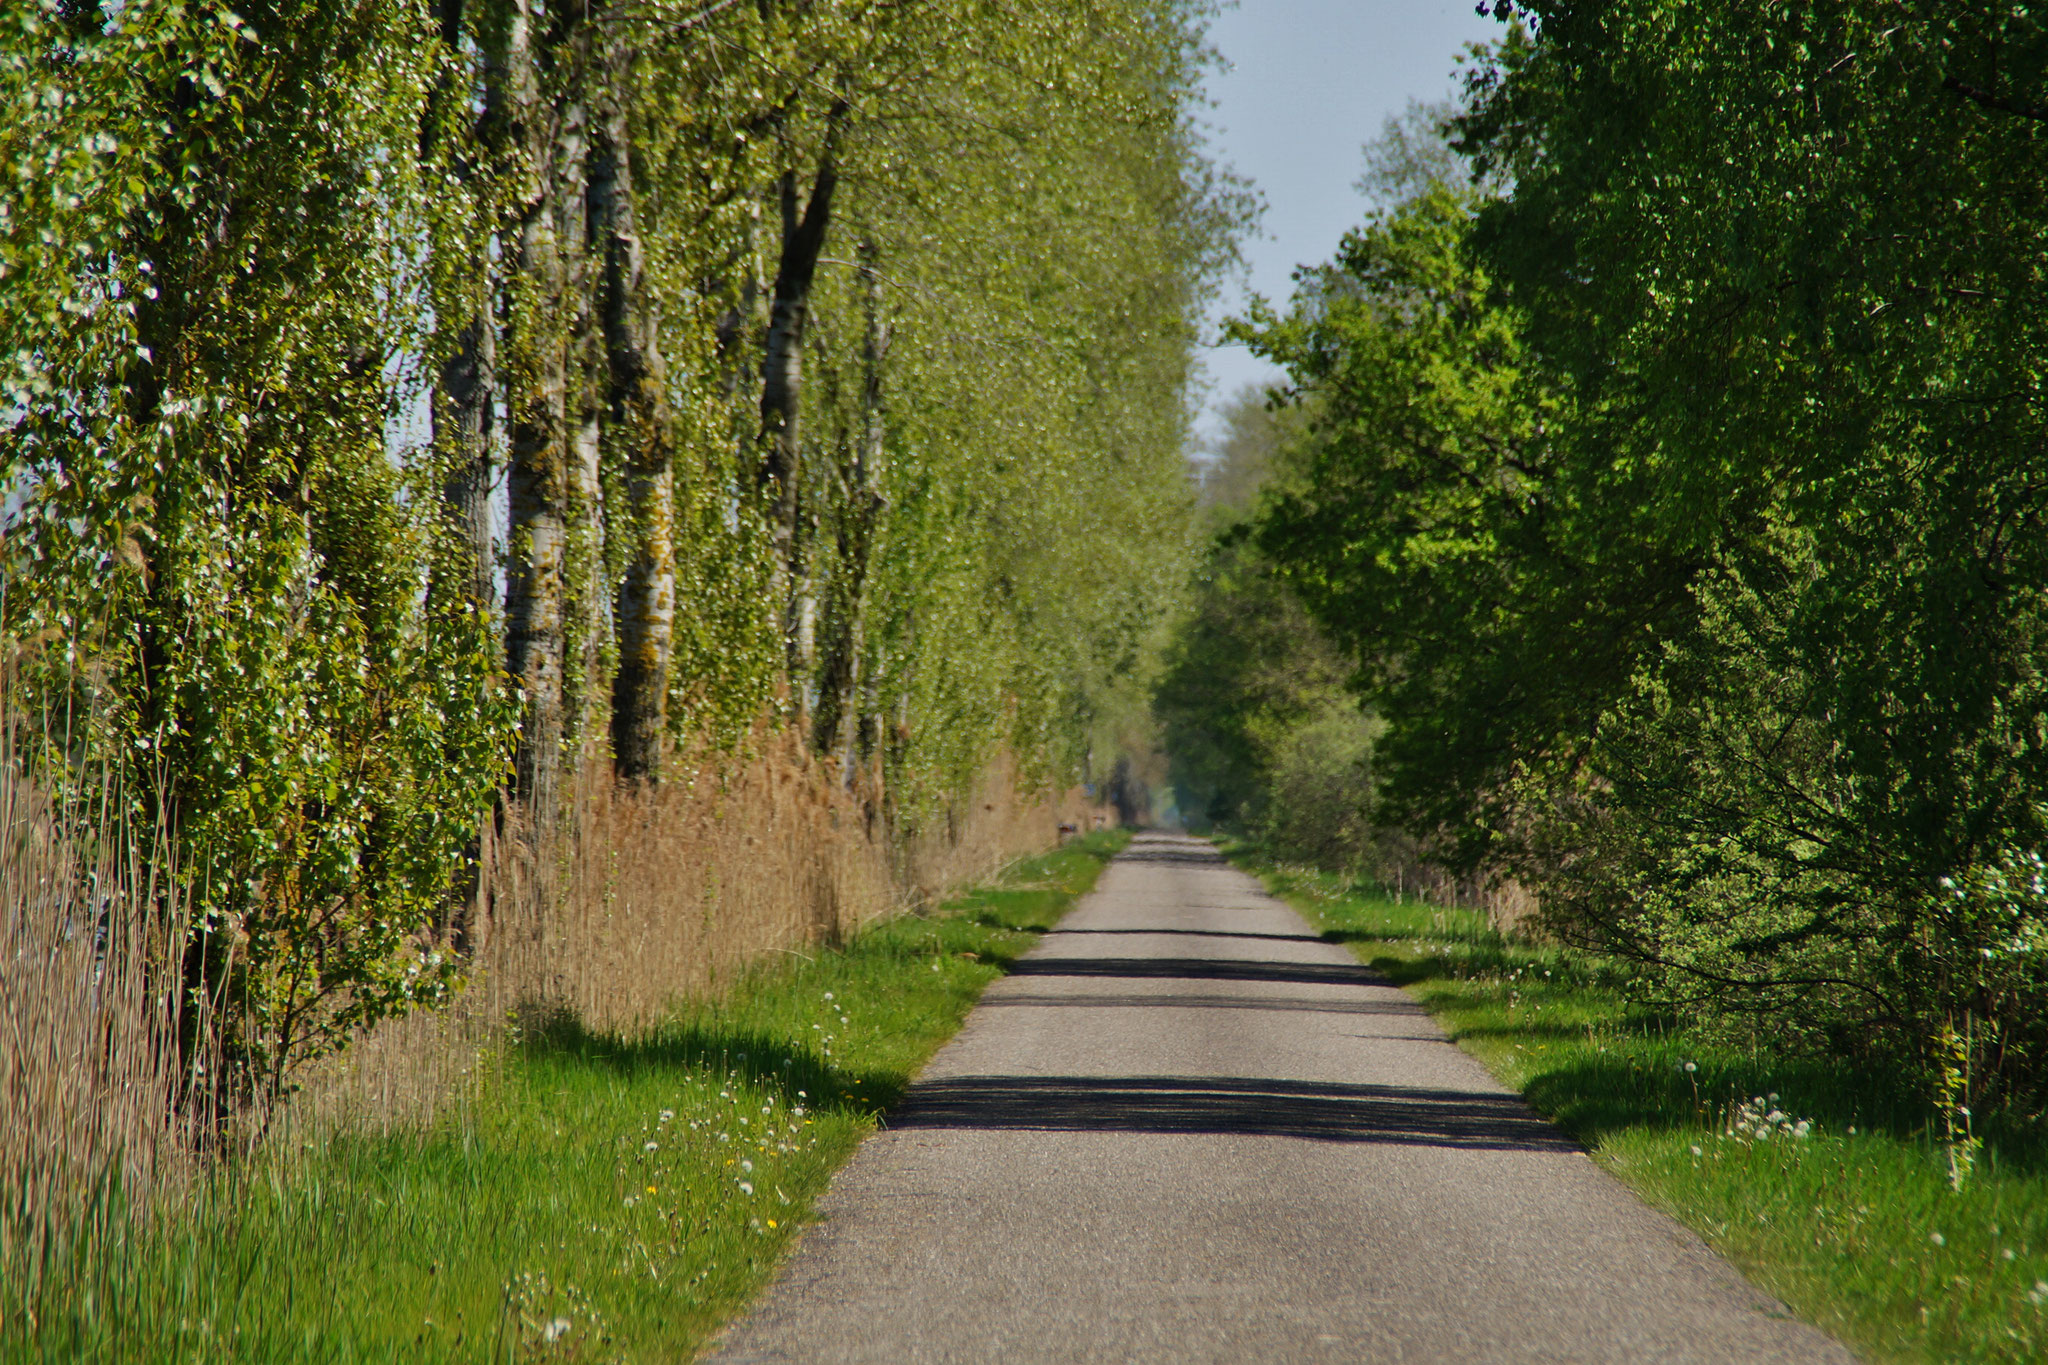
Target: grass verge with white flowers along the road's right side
pixel 1854 1225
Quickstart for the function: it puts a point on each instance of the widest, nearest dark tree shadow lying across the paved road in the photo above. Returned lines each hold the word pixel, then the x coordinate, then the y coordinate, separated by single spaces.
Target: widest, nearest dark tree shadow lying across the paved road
pixel 1324 1112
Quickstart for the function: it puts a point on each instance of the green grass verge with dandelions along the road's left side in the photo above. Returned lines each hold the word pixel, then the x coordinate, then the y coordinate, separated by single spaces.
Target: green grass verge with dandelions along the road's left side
pixel 603 1200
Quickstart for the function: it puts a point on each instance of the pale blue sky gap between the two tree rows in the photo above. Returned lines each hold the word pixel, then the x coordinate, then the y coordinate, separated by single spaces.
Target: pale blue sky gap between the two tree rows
pixel 1304 85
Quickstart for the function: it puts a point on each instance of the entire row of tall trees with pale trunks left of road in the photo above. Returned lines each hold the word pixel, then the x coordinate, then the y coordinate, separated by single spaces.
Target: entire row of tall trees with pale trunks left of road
pixel 407 404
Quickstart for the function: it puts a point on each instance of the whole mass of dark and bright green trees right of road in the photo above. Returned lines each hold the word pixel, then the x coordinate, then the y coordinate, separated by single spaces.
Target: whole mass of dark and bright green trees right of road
pixel 1680 507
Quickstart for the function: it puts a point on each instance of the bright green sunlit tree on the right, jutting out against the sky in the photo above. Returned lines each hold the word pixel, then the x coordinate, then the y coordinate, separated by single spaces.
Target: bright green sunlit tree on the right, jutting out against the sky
pixel 1416 504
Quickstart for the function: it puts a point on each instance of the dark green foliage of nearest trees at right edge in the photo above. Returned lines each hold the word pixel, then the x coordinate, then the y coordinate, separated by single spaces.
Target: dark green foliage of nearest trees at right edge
pixel 1820 386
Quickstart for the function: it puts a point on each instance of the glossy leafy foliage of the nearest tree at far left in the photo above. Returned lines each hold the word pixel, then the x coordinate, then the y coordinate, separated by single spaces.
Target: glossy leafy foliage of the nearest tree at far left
pixel 216 562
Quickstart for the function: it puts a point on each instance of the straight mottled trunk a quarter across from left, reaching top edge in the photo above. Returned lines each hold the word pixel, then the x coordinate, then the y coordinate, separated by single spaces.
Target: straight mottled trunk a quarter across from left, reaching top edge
pixel 536 398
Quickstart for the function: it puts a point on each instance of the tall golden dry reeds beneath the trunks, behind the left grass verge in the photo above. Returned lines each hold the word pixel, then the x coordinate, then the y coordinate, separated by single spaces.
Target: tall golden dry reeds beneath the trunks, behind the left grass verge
pixel 656 895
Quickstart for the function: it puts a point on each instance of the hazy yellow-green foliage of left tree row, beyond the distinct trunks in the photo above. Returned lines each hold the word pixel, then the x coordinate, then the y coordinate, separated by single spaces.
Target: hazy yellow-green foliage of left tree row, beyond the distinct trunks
pixel 1035 267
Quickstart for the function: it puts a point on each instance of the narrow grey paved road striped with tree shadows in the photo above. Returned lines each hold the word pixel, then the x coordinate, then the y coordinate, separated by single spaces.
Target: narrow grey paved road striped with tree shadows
pixel 1189 1131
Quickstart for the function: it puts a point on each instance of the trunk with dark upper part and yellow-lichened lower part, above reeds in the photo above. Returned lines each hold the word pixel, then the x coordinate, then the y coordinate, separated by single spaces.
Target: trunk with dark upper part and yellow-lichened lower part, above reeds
pixel 644 453
